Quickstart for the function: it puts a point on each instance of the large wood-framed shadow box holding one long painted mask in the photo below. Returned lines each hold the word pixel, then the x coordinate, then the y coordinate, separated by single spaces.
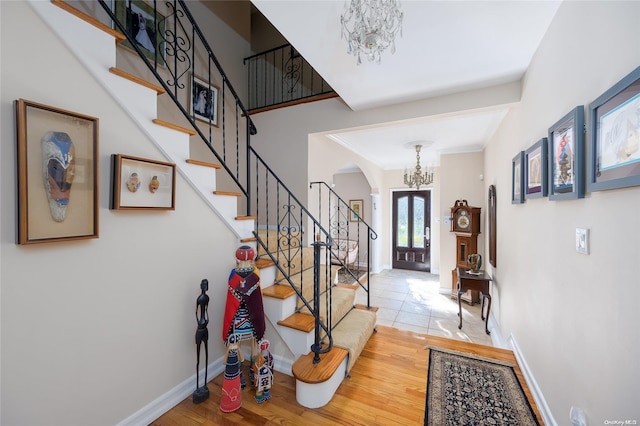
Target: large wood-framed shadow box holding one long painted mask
pixel 57 174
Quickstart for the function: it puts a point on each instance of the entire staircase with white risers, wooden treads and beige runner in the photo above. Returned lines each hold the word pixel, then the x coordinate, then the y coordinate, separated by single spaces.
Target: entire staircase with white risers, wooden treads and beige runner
pixel 316 382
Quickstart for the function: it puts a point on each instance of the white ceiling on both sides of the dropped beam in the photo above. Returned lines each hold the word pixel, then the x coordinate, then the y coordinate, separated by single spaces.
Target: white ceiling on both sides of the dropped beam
pixel 446 47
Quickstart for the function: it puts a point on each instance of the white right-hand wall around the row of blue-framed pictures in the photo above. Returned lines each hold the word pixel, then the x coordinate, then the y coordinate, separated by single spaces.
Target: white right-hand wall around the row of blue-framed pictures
pixel 574 316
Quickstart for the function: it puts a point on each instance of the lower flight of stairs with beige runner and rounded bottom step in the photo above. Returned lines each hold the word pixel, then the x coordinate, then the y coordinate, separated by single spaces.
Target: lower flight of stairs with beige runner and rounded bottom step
pixel 316 383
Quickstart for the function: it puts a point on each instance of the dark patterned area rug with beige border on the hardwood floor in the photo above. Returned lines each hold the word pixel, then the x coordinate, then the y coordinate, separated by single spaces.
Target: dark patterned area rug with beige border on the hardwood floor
pixel 463 389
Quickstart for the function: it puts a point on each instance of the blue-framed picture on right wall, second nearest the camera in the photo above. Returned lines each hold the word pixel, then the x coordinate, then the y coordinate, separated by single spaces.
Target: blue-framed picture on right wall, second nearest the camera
pixel 566 156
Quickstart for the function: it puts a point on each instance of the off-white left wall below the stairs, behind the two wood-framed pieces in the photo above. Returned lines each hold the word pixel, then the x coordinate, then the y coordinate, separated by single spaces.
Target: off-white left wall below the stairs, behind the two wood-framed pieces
pixel 94 330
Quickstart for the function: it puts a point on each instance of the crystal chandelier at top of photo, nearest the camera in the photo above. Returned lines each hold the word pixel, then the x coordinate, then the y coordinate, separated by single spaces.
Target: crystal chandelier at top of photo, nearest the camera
pixel 370 26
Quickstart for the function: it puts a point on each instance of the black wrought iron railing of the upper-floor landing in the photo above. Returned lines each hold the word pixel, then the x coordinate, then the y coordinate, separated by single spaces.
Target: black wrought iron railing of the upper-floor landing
pixel 281 76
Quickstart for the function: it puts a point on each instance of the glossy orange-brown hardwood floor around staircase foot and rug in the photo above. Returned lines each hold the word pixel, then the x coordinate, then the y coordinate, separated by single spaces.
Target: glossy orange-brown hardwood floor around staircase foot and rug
pixel 387 387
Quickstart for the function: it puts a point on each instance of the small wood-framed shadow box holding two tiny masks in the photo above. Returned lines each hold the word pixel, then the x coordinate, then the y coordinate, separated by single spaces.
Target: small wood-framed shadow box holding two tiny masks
pixel 142 184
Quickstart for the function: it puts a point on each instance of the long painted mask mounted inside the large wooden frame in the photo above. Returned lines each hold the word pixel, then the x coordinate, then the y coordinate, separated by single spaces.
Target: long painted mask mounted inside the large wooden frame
pixel 58 167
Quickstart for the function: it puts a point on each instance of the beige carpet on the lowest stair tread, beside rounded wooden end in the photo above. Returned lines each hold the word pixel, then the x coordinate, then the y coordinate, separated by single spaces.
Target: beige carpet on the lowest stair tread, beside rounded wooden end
pixel 353 333
